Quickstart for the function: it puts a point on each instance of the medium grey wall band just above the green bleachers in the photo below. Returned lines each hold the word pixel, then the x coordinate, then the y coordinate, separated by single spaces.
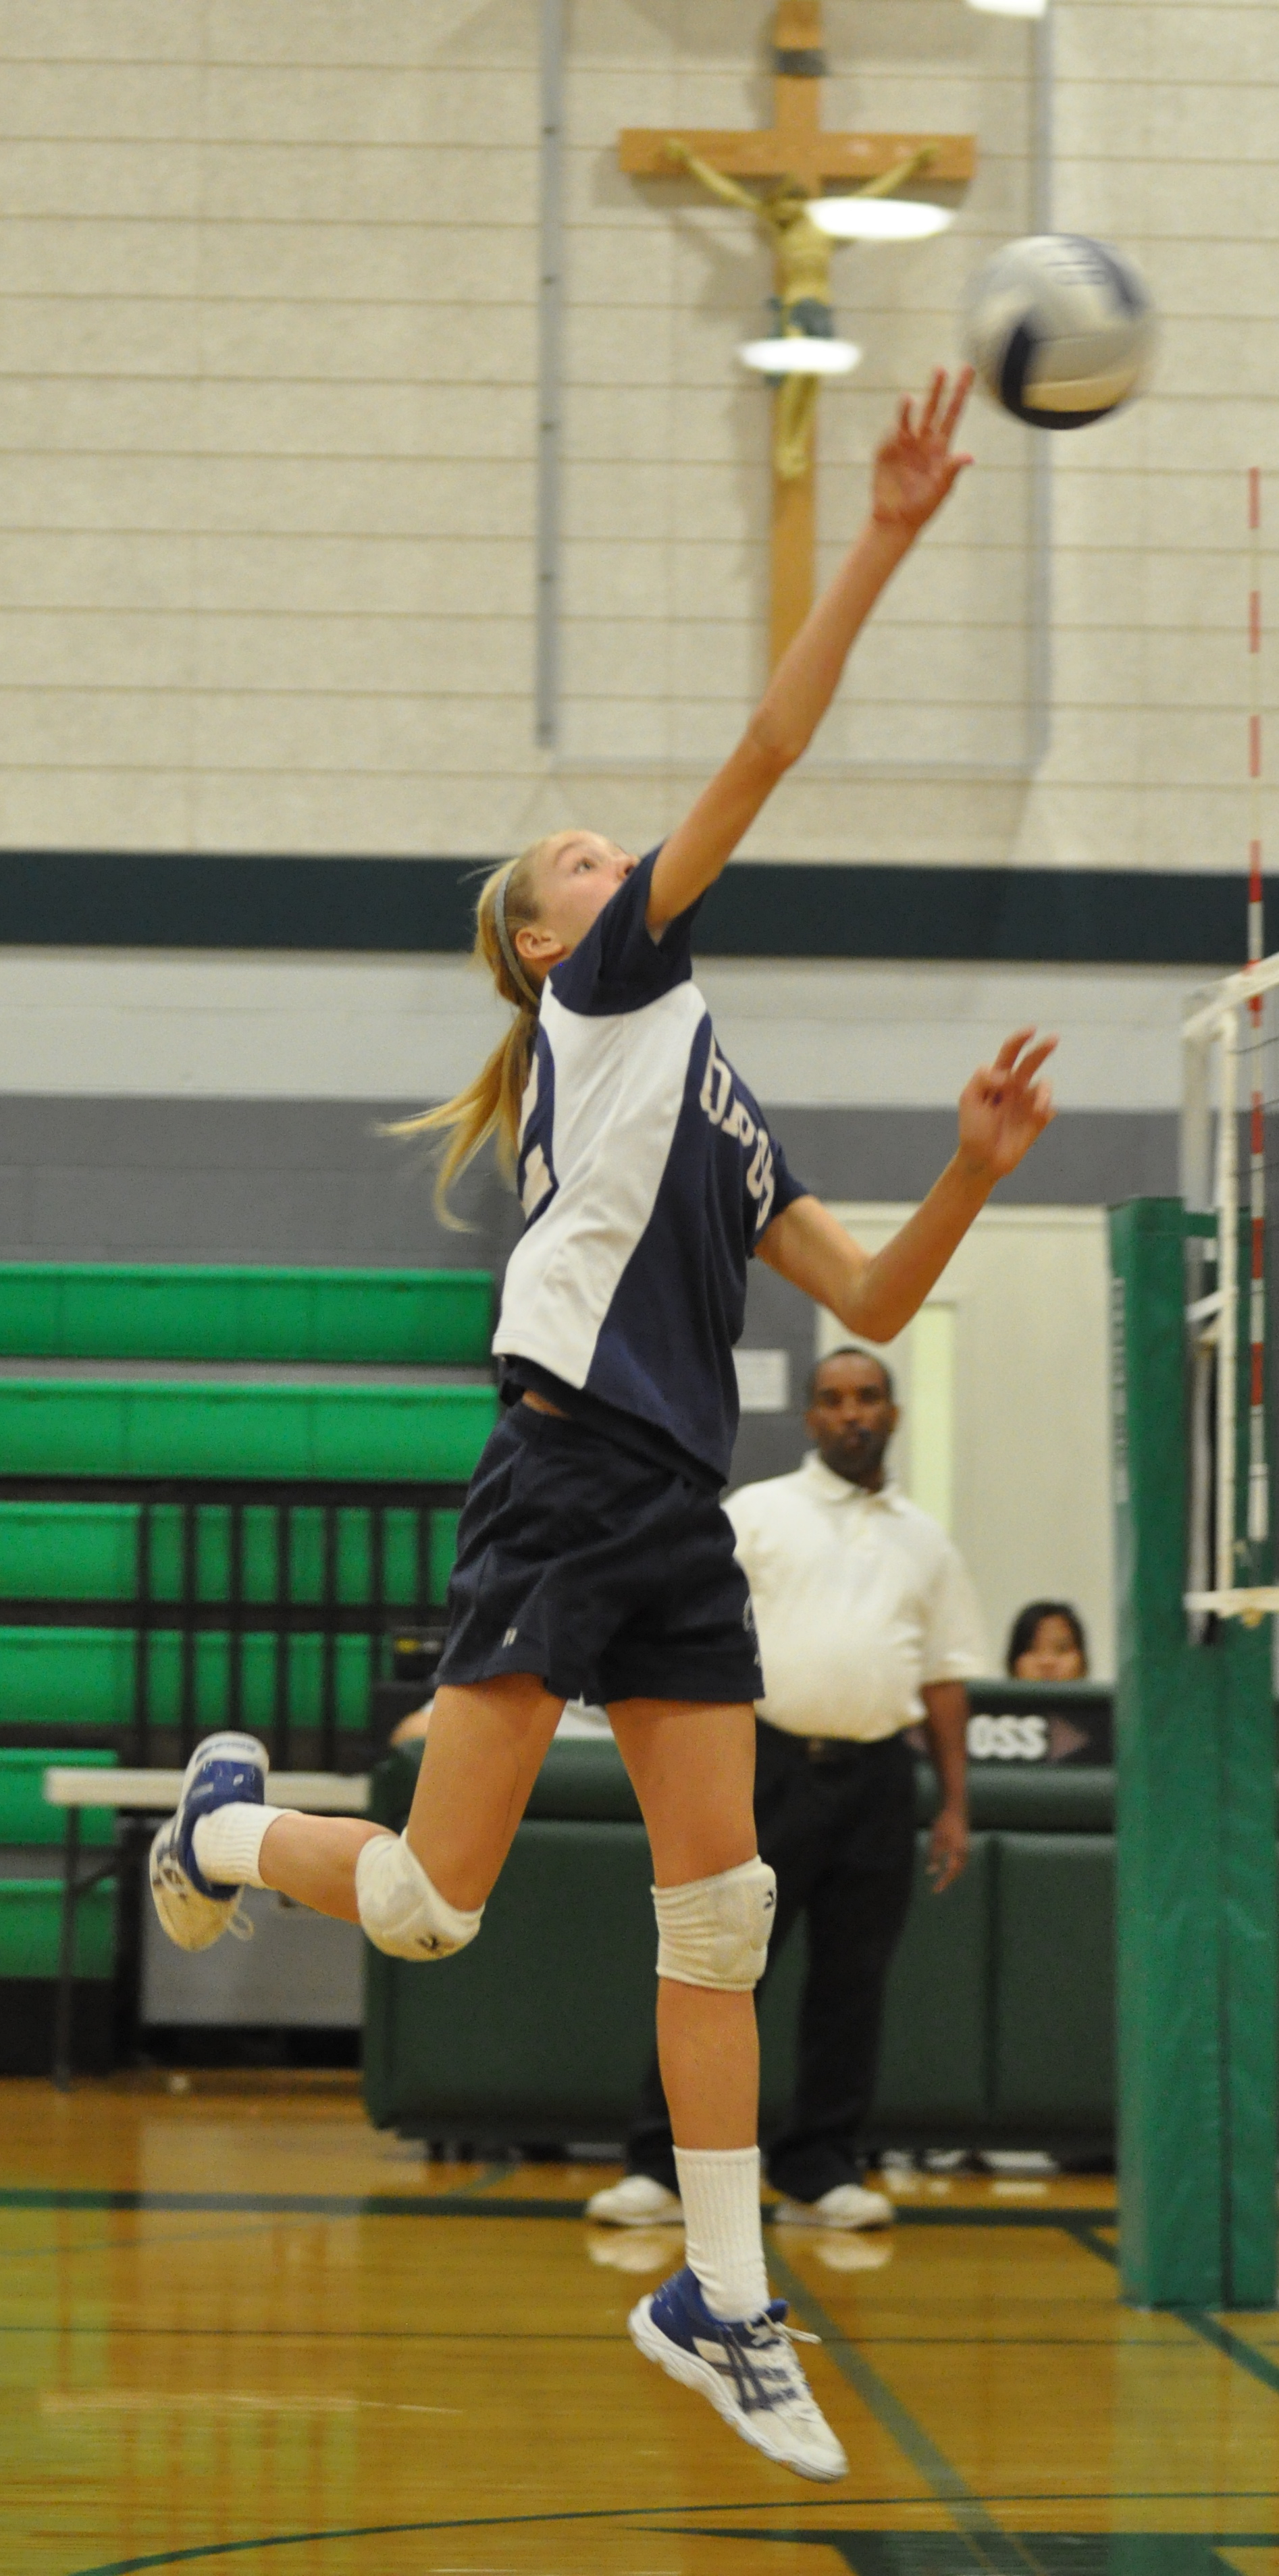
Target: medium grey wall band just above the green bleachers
pixel 316 1181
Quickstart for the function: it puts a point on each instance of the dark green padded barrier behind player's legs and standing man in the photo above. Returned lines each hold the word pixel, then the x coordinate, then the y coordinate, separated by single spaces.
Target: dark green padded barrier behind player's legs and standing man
pixel 1002 2000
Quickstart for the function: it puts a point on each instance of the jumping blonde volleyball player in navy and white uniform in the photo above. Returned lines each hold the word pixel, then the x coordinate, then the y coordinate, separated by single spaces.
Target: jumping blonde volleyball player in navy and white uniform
pixel 594 1555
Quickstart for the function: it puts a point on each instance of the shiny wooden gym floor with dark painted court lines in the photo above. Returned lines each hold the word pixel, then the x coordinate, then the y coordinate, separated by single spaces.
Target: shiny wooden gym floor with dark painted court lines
pixel 244 2333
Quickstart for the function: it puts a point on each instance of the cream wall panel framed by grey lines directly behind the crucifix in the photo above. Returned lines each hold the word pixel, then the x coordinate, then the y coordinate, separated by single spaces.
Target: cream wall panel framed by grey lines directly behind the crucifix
pixel 669 483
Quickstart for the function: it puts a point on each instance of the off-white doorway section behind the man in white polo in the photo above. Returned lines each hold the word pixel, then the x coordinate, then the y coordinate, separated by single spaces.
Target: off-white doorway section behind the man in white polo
pixel 1004 1385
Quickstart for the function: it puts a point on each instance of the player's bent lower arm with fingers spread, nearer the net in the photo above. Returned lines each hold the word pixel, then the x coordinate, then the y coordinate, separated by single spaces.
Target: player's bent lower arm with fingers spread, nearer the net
pixel 1002 1114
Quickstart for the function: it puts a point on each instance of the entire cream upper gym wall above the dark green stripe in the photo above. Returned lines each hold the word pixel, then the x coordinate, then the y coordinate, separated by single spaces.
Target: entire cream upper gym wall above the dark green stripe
pixel 267 424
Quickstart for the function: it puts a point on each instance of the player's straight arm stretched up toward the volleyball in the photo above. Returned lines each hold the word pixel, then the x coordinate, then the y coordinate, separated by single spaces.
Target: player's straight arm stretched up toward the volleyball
pixel 914 473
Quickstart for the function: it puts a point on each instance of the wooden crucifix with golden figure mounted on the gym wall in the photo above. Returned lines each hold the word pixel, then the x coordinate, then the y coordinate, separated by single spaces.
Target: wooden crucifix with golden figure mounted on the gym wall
pixel 796 158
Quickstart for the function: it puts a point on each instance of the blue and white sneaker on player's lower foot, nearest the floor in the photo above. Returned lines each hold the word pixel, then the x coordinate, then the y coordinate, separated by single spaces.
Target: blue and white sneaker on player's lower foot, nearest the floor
pixel 749 2371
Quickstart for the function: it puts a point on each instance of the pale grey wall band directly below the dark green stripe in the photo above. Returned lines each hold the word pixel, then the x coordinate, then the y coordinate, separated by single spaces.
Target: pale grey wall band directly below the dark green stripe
pixel 398 1029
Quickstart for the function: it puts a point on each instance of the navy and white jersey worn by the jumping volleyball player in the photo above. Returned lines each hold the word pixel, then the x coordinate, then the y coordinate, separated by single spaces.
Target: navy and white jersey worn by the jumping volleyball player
pixel 646 1179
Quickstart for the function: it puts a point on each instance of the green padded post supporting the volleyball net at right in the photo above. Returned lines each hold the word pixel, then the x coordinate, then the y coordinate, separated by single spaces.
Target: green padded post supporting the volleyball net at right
pixel 1198 1856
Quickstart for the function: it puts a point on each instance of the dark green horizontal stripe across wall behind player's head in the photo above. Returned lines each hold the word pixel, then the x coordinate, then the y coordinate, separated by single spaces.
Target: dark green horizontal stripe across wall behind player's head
pixel 1004 916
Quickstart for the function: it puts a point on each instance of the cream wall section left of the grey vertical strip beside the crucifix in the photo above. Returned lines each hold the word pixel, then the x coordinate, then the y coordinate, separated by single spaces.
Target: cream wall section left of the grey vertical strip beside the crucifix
pixel 267 274
